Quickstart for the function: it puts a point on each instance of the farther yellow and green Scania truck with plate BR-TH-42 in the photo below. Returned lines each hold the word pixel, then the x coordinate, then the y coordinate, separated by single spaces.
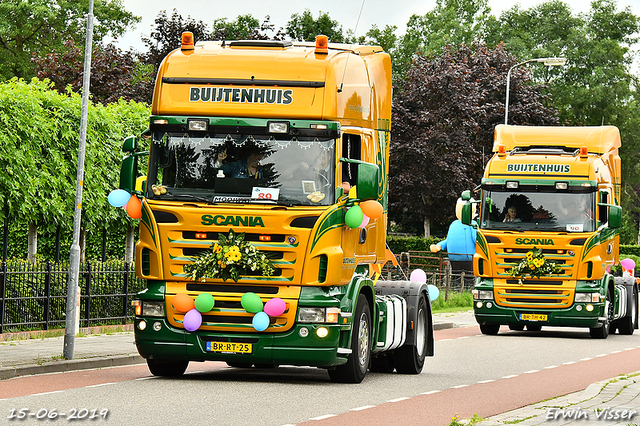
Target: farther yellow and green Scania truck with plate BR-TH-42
pixel 547 262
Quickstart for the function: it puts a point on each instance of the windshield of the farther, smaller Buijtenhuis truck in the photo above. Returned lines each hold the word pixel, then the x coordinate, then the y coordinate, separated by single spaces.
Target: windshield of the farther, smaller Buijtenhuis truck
pixel 540 211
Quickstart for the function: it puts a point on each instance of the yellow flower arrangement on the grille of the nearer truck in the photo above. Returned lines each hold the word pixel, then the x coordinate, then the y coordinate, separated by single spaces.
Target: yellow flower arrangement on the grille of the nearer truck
pixel 230 258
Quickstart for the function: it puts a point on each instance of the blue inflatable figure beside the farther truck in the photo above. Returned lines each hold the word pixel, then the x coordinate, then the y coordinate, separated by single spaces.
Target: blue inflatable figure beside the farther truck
pixel 460 242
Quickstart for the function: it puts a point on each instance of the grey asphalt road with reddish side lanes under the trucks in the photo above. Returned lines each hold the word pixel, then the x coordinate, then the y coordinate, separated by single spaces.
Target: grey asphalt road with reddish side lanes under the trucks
pixel 471 373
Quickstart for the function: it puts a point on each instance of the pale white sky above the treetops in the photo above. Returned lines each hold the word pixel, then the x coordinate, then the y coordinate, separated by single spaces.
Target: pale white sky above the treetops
pixel 346 12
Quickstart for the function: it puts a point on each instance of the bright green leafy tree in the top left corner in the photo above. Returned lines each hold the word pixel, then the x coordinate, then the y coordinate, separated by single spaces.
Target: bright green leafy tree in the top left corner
pixel 42 26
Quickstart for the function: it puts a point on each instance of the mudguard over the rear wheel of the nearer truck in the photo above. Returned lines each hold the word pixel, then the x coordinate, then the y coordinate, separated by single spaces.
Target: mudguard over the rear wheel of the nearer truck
pixel 411 291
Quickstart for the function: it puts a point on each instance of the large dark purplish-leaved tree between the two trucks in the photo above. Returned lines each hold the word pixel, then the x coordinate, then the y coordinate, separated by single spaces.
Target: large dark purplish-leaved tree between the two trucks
pixel 442 125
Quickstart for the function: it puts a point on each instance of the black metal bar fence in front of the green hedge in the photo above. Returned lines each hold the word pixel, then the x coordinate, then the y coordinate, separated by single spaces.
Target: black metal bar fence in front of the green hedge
pixel 33 296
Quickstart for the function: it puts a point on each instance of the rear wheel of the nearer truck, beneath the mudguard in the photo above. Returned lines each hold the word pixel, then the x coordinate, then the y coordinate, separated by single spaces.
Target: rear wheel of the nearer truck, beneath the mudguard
pixel 410 358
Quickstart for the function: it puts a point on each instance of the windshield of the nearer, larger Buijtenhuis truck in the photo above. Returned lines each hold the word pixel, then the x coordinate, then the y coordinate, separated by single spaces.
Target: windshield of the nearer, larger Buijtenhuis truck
pixel 243 168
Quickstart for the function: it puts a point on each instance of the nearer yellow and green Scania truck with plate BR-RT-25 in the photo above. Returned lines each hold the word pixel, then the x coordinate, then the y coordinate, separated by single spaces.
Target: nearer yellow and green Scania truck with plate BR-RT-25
pixel 276 142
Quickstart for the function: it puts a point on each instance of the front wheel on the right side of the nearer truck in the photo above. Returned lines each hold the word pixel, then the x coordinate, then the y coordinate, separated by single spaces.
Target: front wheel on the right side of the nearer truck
pixel 358 361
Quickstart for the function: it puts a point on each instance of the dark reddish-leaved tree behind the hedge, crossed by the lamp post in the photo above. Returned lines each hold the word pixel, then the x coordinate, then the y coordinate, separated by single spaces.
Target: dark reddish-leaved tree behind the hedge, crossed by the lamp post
pixel 114 74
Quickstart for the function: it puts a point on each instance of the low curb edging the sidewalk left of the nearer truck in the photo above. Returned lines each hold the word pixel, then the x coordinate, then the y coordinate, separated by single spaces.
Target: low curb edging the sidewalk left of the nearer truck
pixel 70 365
